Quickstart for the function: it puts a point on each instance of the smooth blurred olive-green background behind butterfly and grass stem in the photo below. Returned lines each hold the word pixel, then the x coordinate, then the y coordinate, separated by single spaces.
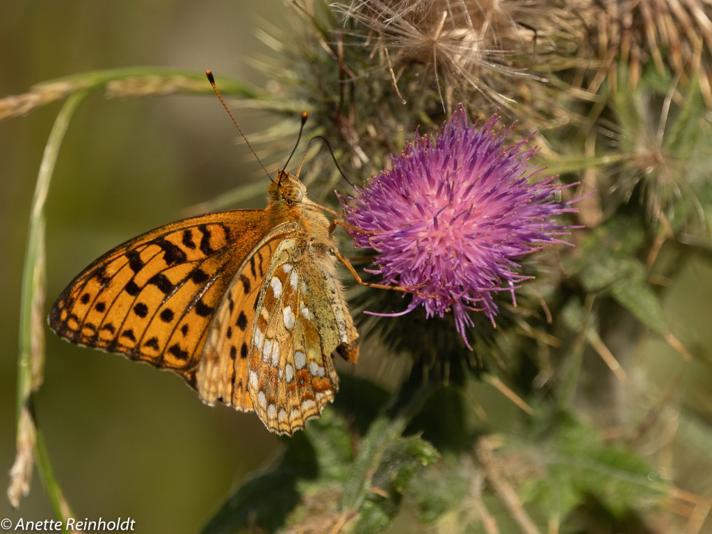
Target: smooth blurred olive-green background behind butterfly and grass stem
pixel 126 439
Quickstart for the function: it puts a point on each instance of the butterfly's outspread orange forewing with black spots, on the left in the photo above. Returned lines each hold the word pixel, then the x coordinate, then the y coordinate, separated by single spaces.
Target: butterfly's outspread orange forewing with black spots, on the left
pixel 153 298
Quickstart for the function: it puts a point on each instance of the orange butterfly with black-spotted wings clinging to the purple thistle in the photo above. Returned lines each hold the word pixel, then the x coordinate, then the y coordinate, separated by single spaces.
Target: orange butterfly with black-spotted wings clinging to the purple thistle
pixel 245 305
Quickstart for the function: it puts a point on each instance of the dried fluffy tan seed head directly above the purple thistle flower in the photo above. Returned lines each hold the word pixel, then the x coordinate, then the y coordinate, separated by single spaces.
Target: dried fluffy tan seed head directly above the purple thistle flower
pixel 459 45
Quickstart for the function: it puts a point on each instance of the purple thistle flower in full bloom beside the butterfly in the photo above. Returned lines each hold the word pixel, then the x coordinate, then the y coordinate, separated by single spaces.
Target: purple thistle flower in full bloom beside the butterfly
pixel 453 218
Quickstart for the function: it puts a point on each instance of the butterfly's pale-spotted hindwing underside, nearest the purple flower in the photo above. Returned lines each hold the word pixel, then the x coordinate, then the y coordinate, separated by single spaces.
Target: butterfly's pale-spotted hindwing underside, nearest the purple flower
pixel 291 374
